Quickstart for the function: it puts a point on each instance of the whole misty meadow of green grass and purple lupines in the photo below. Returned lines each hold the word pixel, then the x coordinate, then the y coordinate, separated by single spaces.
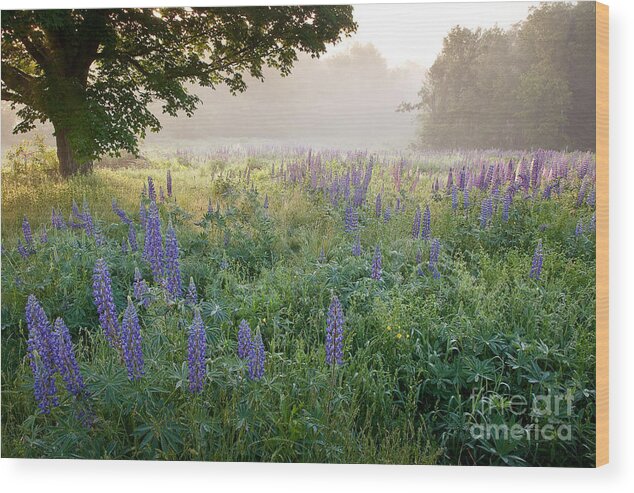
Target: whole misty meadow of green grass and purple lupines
pixel 420 308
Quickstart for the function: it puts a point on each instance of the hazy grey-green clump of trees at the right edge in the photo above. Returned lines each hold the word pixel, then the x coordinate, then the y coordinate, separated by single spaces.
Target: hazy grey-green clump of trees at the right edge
pixel 527 87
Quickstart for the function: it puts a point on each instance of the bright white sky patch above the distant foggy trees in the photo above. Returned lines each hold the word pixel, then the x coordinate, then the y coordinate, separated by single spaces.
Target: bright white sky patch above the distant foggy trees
pixel 414 32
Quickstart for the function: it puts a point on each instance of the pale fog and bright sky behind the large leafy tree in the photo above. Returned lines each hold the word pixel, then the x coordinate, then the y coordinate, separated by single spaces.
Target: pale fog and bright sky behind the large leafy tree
pixel 347 98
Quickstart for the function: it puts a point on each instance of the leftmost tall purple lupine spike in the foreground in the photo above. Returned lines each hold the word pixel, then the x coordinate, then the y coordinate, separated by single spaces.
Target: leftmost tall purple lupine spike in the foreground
pixel 42 352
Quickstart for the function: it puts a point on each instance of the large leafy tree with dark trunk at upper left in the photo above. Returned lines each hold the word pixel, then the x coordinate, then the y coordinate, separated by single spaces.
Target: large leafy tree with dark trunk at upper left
pixel 93 73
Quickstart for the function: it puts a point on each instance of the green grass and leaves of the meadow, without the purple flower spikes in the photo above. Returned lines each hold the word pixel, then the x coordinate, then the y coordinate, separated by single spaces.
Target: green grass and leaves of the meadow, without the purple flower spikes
pixel 425 360
